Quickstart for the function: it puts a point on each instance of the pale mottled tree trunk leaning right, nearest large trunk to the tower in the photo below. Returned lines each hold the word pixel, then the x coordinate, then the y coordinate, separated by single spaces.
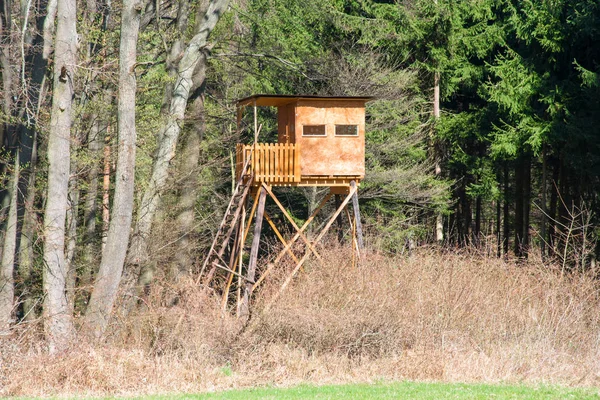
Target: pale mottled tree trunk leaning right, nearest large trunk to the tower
pixel 169 134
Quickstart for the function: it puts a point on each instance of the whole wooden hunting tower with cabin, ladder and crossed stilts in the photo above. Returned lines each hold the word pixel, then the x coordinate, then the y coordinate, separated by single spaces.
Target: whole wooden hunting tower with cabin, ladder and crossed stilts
pixel 320 142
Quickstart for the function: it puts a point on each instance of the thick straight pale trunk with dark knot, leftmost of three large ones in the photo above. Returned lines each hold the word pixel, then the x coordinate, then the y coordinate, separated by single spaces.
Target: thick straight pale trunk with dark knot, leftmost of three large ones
pixel 58 320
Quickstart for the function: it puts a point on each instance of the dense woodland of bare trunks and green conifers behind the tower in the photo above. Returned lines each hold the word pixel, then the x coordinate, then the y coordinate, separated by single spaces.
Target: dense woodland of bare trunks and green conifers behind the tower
pixel 118 129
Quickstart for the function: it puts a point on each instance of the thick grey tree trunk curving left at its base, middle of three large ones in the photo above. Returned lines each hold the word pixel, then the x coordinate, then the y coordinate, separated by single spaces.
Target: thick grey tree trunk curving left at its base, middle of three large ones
pixel 113 256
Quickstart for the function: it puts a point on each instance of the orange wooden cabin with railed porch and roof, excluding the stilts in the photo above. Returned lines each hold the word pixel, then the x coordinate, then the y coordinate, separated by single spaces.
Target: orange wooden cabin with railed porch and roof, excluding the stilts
pixel 320 141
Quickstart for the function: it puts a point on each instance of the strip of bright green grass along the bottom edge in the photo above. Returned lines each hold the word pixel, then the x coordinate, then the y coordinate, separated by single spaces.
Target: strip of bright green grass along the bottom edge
pixel 402 390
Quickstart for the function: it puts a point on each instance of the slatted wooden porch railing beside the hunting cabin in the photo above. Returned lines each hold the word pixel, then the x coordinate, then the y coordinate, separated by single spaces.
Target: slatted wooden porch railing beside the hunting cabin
pixel 270 162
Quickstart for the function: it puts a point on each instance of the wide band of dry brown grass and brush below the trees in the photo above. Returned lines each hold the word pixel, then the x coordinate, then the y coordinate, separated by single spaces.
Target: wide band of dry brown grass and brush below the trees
pixel 431 316
